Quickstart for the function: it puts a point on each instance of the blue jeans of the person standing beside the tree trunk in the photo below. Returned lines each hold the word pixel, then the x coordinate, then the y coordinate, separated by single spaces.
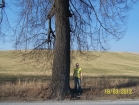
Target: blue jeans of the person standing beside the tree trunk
pixel 77 85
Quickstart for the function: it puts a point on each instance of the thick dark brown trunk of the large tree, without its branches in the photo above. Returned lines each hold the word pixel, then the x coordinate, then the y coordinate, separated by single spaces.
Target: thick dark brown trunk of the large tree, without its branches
pixel 61 62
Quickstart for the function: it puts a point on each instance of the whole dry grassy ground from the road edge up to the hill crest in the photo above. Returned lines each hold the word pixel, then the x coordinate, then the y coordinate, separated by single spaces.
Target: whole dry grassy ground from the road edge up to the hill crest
pixel 105 73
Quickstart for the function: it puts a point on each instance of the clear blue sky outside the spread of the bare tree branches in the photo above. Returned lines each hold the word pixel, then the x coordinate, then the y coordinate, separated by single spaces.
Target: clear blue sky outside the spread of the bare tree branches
pixel 129 43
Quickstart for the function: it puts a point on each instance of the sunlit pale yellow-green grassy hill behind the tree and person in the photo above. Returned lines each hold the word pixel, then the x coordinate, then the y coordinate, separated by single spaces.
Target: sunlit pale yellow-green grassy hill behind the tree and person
pixel 92 64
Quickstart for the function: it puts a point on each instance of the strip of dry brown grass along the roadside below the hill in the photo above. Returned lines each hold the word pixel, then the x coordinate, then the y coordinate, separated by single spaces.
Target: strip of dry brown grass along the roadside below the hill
pixel 93 89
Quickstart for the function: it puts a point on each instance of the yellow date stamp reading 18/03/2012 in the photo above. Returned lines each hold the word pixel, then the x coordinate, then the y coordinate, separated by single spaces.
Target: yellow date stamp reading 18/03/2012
pixel 114 91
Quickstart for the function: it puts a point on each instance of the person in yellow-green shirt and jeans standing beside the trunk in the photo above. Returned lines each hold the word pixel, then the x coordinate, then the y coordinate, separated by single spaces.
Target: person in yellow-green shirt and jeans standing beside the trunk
pixel 77 75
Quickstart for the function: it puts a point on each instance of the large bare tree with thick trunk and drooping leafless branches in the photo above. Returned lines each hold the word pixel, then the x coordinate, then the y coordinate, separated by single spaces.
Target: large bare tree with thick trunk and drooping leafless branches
pixel 65 25
